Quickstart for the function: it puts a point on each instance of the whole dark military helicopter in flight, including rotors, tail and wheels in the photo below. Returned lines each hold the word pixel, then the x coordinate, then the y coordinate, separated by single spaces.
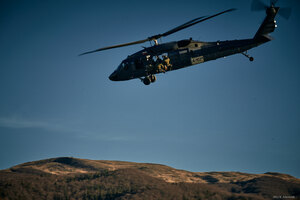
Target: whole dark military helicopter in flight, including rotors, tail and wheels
pixel 170 56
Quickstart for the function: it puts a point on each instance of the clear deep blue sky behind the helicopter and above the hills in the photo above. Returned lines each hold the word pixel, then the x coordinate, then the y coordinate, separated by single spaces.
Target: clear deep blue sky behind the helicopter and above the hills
pixel 224 115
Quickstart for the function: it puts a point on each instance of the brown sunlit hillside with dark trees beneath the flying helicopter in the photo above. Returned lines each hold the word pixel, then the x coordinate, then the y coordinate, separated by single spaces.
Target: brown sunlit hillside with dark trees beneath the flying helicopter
pixel 73 178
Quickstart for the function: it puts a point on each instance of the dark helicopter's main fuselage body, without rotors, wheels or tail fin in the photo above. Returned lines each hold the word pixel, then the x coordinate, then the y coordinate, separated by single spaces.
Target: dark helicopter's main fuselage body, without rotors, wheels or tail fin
pixel 182 54
